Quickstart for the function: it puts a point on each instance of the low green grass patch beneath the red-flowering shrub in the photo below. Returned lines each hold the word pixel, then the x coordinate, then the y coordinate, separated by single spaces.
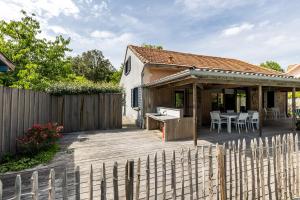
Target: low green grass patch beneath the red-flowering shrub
pixel 22 162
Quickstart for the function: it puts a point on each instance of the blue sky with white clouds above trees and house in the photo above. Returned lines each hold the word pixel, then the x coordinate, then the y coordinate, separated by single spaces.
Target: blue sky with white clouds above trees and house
pixel 250 30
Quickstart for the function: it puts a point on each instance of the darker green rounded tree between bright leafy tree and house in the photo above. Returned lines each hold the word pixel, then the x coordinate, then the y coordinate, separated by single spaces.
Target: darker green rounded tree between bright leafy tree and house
pixel 94 66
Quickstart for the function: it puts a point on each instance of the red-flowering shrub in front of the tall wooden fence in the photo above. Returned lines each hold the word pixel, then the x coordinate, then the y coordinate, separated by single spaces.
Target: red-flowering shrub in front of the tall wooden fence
pixel 39 137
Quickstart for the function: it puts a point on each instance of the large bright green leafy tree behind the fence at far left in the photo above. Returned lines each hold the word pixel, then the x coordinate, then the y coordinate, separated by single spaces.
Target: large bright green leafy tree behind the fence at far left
pixel 38 61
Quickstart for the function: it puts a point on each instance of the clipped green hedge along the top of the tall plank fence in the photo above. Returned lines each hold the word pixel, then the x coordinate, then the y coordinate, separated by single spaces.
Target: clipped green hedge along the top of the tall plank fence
pixel 69 88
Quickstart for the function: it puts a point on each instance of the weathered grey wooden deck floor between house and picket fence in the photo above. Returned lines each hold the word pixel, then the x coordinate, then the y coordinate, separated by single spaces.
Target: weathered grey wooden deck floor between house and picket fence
pixel 95 147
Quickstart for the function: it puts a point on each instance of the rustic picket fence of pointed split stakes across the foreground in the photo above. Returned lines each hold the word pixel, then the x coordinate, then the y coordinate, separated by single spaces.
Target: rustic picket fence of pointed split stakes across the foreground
pixel 267 169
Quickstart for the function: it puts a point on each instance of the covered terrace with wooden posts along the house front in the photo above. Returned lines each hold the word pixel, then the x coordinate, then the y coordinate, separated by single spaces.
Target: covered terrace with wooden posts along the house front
pixel 197 92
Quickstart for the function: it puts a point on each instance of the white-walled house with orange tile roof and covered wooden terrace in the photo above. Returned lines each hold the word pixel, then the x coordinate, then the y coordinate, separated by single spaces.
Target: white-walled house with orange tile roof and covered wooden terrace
pixel 195 85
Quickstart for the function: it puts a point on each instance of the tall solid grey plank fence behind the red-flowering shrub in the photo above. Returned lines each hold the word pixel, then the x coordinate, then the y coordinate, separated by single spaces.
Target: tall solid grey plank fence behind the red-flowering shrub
pixel 20 109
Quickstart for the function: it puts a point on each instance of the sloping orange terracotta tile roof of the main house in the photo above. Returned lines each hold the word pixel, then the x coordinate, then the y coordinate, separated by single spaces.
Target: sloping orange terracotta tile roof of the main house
pixel 156 56
